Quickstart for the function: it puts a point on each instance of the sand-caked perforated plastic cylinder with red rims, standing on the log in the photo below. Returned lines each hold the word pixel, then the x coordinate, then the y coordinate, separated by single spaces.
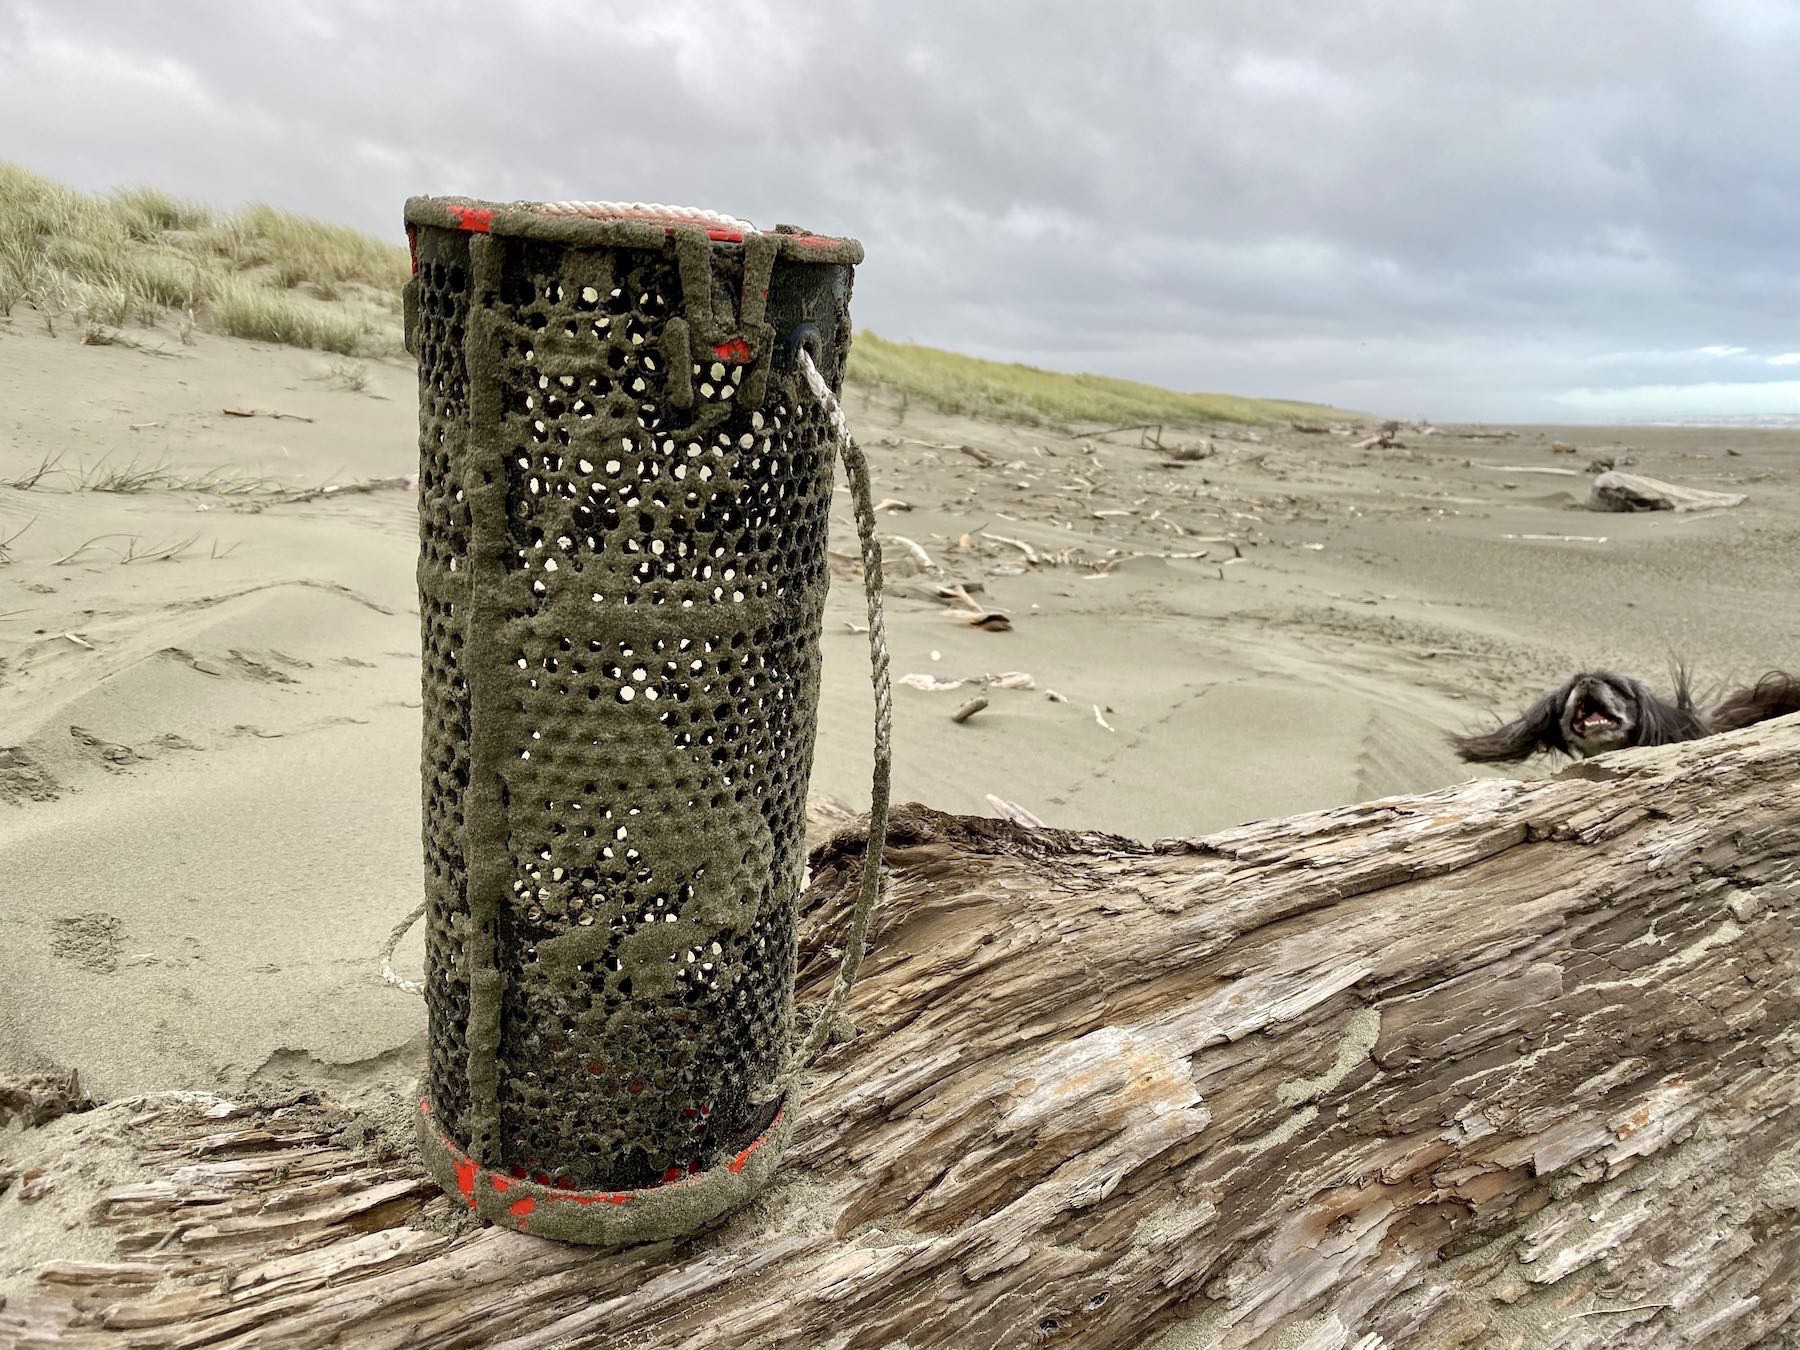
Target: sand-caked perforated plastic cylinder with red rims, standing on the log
pixel 624 512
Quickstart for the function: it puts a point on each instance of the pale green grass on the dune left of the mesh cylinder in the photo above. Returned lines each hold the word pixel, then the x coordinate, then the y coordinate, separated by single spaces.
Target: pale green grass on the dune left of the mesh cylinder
pixel 138 255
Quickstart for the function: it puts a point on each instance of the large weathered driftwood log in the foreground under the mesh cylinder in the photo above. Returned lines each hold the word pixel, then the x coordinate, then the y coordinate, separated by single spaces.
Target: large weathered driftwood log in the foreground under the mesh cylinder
pixel 1511 1065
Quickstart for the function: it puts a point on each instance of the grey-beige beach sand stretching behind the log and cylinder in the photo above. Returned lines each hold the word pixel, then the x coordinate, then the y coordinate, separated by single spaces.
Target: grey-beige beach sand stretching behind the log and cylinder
pixel 210 773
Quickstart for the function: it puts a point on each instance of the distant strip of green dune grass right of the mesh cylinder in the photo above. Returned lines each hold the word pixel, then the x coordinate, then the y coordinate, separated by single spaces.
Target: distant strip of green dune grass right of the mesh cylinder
pixel 1023 393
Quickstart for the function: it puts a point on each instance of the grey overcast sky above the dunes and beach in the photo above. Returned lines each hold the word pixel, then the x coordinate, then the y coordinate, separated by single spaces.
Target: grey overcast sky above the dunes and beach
pixel 1498 210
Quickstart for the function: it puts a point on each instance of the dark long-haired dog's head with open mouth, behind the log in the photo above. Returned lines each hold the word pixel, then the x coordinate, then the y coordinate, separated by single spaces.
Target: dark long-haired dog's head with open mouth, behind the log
pixel 1592 714
